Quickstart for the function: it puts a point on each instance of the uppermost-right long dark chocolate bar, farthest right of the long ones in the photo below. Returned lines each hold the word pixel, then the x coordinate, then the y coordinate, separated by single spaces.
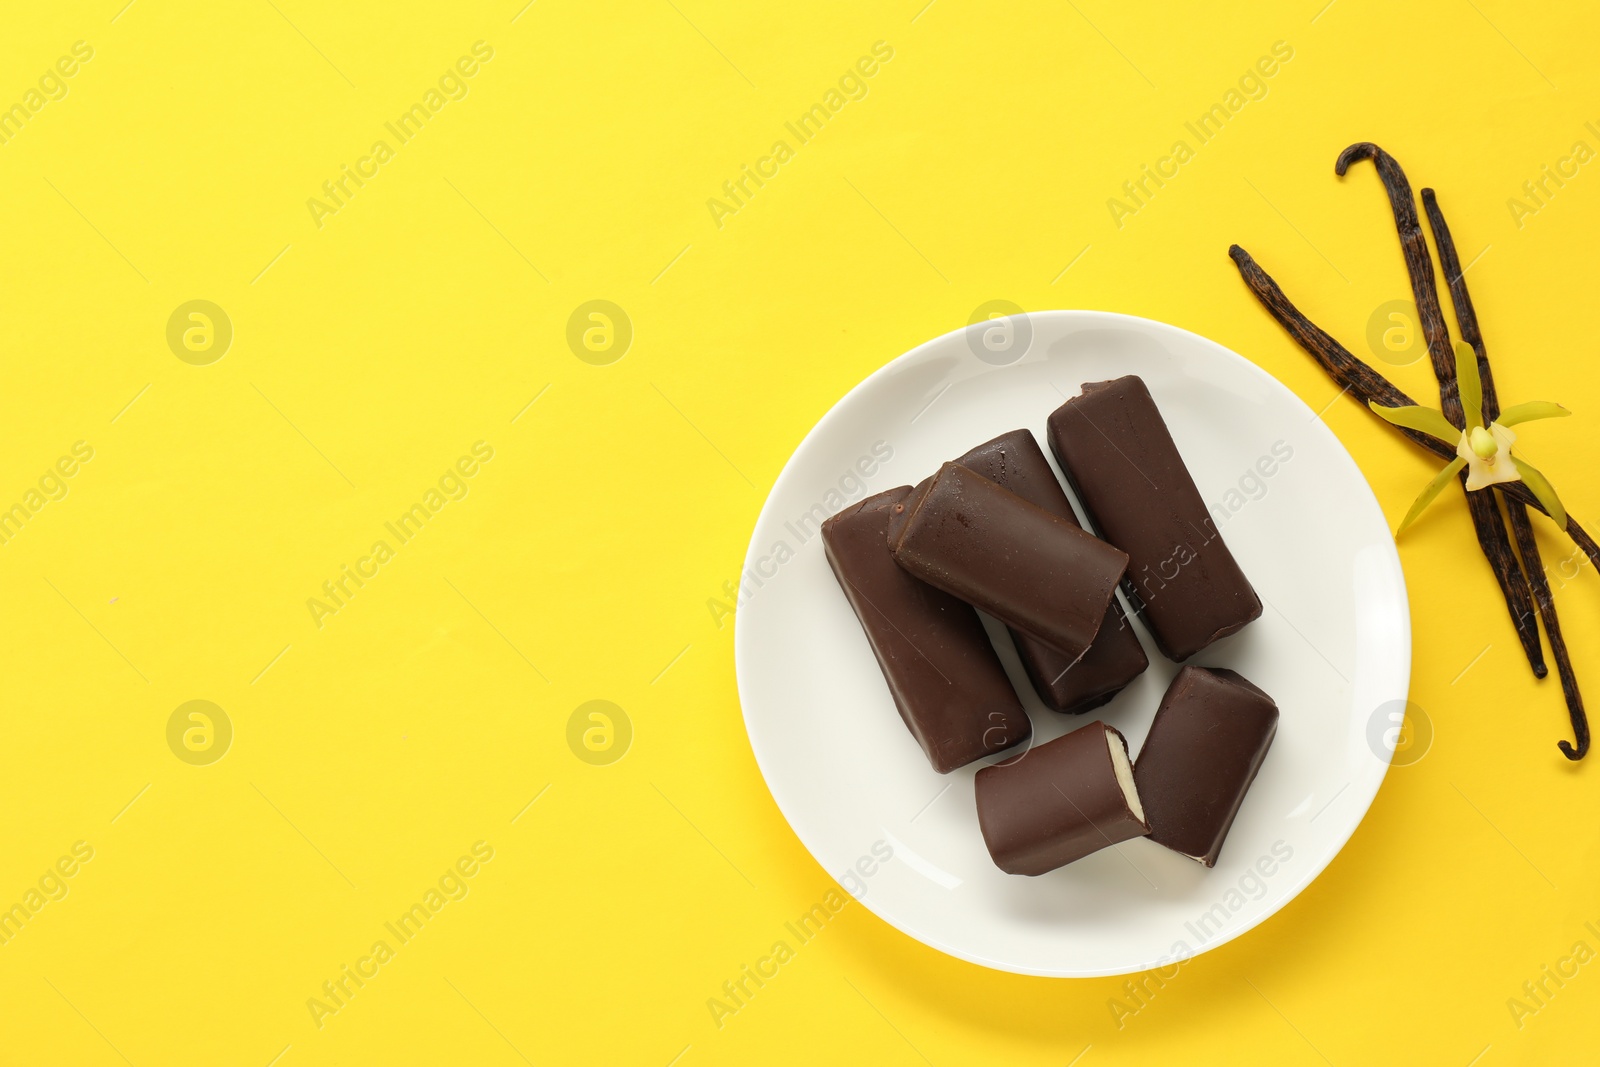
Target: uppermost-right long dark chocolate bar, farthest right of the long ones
pixel 1122 463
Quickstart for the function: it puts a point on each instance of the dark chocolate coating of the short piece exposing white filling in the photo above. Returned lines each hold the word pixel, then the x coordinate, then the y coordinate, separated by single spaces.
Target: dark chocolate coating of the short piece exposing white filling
pixel 1057 804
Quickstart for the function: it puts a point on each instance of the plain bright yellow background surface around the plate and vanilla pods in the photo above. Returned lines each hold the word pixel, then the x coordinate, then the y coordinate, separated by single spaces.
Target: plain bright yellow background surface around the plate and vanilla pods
pixel 428 314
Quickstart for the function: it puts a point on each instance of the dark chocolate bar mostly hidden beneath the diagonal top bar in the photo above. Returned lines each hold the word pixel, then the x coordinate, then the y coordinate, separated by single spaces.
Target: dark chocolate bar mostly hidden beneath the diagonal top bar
pixel 1015 462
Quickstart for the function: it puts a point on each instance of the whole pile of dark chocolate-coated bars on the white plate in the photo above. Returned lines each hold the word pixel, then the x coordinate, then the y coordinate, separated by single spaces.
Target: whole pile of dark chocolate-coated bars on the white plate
pixel 994 532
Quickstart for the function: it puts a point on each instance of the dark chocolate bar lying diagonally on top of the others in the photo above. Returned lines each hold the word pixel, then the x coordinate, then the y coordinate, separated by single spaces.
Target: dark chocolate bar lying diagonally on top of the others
pixel 1031 570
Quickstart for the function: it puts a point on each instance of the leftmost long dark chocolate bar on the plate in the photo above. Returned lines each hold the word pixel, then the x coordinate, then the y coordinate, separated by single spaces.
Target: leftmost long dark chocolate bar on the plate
pixel 935 653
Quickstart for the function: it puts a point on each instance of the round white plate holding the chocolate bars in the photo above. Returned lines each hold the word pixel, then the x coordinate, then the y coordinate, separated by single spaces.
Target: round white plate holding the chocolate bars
pixel 1334 647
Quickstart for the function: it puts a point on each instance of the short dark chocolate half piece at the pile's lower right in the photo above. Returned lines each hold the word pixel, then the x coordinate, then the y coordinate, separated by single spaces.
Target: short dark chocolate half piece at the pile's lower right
pixel 1206 746
